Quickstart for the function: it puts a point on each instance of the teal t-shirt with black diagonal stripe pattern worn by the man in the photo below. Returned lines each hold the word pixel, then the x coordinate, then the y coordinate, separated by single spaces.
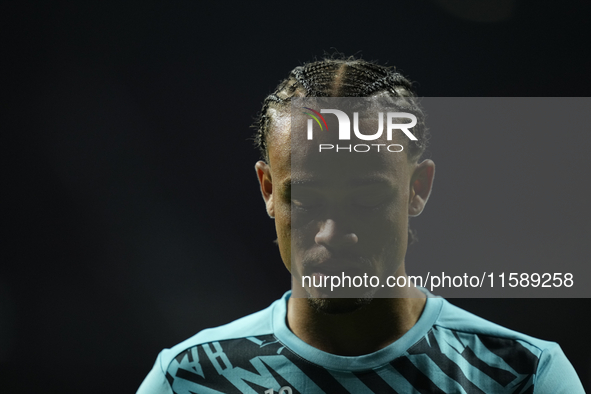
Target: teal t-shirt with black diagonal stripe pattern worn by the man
pixel 448 350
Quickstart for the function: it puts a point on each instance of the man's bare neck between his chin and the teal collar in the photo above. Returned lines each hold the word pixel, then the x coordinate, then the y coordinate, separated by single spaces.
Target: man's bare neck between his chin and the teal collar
pixel 362 331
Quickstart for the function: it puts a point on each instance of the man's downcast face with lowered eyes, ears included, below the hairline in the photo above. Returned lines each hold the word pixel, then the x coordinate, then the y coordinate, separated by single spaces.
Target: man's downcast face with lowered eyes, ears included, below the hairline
pixel 340 213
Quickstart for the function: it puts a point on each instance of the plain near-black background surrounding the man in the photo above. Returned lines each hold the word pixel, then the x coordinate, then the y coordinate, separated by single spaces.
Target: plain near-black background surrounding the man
pixel 132 217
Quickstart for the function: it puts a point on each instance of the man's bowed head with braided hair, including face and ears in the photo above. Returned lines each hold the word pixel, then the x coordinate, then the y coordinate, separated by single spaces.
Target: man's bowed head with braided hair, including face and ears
pixel 332 213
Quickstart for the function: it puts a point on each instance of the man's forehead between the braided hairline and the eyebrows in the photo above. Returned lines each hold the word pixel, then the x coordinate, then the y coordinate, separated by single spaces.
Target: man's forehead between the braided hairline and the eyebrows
pixel 296 160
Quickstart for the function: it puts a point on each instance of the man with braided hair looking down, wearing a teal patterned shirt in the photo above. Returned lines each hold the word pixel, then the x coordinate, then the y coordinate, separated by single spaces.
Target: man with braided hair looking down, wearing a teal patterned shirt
pixel 346 215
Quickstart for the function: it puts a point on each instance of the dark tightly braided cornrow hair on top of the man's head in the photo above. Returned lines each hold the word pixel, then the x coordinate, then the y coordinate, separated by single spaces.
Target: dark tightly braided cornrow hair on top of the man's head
pixel 331 77
